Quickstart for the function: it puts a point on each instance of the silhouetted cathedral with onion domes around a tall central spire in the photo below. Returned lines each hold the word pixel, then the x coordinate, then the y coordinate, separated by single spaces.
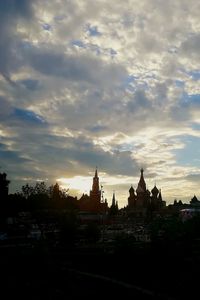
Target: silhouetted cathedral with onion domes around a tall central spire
pixel 144 201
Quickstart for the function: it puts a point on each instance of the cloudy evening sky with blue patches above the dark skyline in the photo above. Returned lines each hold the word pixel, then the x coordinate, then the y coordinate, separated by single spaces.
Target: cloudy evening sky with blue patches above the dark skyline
pixel 111 84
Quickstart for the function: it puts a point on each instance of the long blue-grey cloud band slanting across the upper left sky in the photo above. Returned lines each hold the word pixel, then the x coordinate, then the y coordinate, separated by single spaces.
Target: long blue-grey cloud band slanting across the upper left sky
pixel 74 68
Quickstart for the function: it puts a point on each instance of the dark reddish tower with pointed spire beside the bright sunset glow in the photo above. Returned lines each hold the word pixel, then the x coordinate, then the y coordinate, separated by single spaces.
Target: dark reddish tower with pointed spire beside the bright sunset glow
pixel 93 203
